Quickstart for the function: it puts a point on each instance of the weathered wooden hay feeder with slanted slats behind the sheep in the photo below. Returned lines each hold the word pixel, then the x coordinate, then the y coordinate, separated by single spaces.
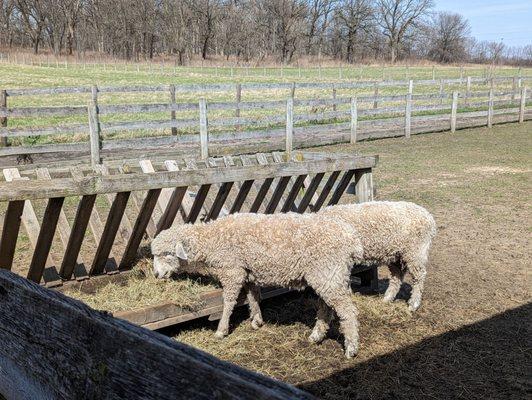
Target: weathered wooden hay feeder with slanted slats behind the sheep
pixel 121 208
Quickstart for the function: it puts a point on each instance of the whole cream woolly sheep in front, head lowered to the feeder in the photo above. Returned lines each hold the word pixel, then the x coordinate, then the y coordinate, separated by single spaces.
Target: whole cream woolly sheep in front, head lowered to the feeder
pixel 287 250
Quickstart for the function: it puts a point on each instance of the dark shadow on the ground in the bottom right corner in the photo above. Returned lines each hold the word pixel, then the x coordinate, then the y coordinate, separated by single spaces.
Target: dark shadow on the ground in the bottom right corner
pixel 490 359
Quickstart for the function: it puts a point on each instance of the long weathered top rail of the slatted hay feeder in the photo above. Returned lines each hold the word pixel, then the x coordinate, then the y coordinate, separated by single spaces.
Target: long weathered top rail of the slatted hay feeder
pixel 98 184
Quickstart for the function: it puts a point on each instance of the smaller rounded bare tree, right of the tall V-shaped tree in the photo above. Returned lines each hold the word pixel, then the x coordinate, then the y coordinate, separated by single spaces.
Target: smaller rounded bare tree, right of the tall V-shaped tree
pixel 448 35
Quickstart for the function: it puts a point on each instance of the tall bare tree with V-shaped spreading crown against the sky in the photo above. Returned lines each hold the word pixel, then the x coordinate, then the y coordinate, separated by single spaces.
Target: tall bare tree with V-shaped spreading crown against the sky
pixel 397 17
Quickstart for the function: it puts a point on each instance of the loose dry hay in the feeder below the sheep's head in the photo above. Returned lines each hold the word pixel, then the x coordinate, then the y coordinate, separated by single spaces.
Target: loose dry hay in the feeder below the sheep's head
pixel 142 289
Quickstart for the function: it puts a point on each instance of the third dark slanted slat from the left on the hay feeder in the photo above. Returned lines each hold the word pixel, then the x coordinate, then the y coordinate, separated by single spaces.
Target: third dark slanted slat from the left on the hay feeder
pixel 73 246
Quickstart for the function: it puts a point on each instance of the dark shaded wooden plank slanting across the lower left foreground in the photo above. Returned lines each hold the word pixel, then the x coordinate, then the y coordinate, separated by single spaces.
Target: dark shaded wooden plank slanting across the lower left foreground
pixel 111 356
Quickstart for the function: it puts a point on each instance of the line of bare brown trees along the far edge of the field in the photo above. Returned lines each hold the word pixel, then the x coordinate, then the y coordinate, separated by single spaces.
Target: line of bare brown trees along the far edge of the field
pixel 249 30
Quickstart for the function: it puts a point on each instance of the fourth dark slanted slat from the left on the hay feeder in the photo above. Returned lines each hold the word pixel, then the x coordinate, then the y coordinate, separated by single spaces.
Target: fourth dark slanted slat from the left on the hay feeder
pixel 109 232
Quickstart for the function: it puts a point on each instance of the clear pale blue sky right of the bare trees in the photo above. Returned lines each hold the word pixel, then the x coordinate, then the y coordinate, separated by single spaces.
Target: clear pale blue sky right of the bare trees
pixel 509 20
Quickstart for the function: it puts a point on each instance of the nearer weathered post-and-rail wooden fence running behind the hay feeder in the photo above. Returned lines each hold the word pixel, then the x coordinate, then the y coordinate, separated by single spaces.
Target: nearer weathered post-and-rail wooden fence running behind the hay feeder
pixel 323 124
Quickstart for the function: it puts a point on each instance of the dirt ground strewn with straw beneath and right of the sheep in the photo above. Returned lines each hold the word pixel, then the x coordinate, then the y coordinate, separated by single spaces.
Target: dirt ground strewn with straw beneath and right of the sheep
pixel 472 337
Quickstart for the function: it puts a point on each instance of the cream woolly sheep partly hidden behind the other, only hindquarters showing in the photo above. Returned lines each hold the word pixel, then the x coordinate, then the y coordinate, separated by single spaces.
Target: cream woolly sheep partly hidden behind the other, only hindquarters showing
pixel 396 234
